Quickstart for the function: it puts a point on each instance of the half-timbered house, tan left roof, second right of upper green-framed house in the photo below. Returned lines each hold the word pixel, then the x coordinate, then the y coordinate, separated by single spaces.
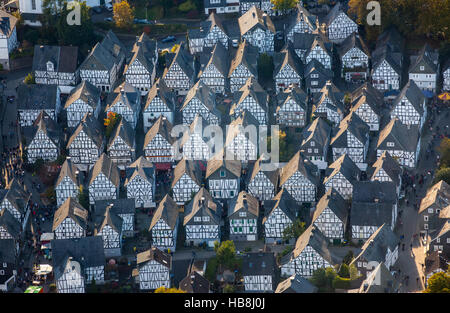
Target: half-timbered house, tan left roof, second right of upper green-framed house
pixel 300 177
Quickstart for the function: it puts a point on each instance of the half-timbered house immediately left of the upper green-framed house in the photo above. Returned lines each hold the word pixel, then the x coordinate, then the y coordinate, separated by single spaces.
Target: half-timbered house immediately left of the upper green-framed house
pixel 187 179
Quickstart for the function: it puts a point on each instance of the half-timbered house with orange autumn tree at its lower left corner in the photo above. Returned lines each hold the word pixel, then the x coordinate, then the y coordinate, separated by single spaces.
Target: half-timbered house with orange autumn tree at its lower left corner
pixel 126 102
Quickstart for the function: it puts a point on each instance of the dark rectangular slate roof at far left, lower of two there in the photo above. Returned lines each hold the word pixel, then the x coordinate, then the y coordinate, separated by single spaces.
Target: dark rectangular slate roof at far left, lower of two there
pixel 36 97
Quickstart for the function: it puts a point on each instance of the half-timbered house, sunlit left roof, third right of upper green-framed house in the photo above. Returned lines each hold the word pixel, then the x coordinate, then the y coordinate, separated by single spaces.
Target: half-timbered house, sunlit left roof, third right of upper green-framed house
pixel 342 174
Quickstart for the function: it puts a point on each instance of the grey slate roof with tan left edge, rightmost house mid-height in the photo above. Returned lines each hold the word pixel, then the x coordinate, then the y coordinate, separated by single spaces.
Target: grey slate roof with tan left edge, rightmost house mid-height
pixel 405 137
